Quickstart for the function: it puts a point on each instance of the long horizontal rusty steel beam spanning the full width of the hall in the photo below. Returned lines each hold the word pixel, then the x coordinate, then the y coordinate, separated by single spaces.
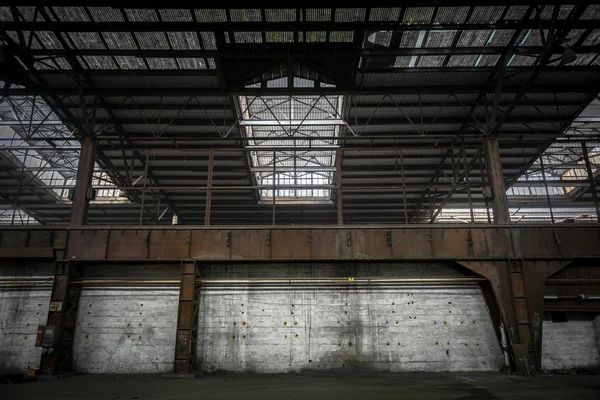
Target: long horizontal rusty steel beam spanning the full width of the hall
pixel 294 243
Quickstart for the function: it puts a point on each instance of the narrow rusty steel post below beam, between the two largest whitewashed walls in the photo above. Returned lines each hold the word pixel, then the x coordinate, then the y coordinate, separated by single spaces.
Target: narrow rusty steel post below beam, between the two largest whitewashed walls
pixel 187 320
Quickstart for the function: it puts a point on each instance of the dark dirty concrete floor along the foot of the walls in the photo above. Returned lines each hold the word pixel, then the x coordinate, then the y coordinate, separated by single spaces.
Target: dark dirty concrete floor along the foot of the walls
pixel 309 386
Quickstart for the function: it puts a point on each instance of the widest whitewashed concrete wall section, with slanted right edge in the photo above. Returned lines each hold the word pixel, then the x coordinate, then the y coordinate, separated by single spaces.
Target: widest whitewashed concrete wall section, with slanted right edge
pixel 408 328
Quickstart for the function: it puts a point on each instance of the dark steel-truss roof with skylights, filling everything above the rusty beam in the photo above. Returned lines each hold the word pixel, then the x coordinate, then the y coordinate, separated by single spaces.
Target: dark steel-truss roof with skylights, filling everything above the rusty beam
pixel 415 85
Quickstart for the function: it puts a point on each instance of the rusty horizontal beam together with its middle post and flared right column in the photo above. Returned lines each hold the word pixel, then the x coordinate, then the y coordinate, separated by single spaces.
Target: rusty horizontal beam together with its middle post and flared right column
pixel 515 260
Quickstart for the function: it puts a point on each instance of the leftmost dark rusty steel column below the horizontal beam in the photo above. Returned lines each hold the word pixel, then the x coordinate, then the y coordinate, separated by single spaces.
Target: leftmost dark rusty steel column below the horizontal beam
pixel 62 318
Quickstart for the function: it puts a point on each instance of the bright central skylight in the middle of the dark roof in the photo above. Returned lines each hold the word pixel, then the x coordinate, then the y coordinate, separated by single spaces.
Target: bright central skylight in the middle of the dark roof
pixel 285 132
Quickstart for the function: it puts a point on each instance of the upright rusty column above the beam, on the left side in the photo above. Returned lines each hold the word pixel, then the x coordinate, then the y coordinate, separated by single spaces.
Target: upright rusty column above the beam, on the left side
pixel 82 192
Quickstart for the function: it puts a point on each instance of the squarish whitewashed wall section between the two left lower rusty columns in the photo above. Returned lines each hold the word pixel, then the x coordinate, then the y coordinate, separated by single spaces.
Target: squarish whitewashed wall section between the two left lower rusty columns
pixel 126 329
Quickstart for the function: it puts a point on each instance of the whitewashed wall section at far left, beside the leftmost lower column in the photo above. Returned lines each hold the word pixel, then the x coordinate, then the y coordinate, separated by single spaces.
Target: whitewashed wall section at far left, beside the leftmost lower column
pixel 22 309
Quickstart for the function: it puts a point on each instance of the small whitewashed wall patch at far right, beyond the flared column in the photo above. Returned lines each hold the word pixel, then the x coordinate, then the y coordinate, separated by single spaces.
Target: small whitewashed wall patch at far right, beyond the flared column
pixel 570 344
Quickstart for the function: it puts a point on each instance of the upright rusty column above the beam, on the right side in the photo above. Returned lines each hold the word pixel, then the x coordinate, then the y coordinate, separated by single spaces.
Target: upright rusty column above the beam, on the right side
pixel 496 181
